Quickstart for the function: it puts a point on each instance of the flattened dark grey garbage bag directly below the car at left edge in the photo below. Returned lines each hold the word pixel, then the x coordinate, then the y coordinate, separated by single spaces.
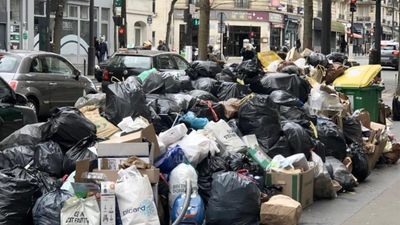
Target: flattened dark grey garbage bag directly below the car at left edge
pixel 30 134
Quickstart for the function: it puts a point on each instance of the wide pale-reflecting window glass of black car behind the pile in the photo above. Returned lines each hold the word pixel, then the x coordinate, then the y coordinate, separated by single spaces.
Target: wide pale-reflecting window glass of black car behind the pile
pixel 131 61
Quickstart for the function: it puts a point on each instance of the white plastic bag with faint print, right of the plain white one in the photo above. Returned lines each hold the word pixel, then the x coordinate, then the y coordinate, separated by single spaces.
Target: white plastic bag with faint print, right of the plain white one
pixel 226 137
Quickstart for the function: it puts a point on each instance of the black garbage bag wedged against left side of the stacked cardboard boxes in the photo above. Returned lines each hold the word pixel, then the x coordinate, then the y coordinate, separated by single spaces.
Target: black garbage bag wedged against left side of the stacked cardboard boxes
pixel 78 152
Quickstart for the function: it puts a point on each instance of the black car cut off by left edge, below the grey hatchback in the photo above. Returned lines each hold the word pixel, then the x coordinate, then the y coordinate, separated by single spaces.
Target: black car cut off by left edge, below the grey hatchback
pixel 13 112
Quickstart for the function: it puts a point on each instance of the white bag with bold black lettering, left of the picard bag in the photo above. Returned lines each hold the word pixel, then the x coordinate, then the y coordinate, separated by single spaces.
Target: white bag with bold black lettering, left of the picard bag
pixel 78 211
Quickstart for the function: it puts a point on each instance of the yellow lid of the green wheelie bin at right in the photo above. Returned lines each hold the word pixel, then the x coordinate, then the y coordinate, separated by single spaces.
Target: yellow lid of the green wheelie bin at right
pixel 358 76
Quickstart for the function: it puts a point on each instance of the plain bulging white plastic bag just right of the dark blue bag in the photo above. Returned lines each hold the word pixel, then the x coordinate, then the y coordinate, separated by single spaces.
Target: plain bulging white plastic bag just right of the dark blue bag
pixel 196 147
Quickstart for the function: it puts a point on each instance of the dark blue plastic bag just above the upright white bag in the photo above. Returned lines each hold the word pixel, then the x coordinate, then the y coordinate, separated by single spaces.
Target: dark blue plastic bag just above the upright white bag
pixel 169 160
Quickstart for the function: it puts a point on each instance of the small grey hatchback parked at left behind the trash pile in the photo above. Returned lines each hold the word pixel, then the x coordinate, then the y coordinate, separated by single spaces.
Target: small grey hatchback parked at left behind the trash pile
pixel 47 80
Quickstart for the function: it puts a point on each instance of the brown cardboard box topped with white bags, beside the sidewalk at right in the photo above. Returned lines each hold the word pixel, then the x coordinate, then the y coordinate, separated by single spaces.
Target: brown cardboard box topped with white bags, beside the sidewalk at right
pixel 299 186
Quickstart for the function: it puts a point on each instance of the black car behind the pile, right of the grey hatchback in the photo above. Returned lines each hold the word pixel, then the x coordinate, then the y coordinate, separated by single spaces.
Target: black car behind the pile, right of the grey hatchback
pixel 133 62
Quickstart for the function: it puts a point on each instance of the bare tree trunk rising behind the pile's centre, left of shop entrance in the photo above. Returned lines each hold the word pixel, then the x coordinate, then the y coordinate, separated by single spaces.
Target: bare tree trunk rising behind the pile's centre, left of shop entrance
pixel 204 28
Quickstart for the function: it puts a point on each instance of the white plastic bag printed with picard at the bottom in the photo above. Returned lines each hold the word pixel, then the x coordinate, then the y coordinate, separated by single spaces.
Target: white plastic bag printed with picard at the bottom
pixel 135 198
